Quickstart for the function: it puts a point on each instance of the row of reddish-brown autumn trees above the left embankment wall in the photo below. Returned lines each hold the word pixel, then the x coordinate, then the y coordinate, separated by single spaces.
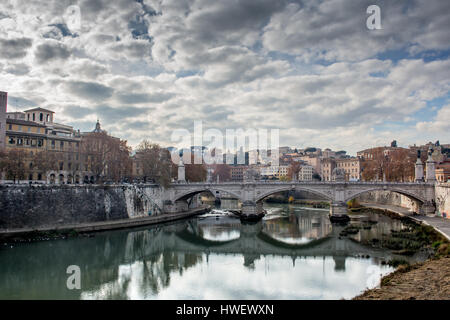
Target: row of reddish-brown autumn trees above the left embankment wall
pixel 107 158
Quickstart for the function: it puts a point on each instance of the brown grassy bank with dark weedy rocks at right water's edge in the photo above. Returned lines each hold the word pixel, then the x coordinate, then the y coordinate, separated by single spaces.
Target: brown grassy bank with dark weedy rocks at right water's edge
pixel 429 280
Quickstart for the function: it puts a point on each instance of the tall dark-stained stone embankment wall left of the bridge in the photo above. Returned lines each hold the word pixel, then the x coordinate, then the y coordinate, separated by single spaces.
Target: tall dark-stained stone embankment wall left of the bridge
pixel 44 205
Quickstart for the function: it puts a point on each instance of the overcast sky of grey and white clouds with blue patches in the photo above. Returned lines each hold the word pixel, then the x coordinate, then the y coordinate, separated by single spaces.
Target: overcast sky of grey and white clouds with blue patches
pixel 310 68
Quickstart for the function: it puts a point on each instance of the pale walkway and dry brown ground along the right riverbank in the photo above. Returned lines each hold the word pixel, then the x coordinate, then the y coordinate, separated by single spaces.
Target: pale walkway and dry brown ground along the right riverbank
pixel 429 280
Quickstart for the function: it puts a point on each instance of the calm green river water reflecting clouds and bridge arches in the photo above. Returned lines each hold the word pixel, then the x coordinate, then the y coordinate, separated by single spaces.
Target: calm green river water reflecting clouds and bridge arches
pixel 293 253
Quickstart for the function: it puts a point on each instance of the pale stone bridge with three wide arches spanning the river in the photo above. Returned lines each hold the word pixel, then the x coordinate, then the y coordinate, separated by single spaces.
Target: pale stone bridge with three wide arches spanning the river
pixel 178 196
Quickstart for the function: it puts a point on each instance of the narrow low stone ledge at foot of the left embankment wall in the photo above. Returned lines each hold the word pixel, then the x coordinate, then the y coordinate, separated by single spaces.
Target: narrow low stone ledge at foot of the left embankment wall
pixel 62 231
